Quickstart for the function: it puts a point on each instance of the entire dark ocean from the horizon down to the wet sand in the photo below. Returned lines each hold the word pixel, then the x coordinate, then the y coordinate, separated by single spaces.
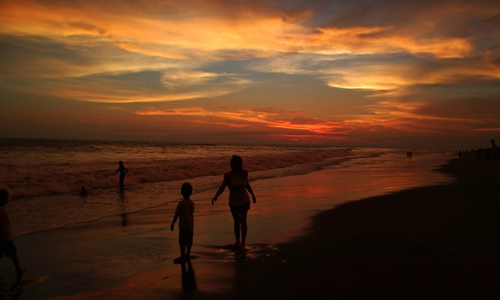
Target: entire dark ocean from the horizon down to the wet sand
pixel 44 177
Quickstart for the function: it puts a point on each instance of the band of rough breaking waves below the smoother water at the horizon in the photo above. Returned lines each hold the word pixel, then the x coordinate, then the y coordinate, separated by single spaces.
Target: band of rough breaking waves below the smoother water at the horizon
pixel 36 179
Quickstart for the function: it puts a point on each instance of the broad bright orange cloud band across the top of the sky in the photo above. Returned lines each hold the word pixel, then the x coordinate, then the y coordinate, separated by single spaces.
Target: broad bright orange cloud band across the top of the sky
pixel 200 34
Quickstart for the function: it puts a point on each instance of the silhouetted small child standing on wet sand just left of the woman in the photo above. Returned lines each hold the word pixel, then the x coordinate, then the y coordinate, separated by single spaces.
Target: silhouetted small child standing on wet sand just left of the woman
pixel 184 211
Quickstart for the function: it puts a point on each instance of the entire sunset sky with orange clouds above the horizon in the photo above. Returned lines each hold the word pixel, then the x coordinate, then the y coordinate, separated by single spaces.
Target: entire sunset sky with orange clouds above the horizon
pixel 360 72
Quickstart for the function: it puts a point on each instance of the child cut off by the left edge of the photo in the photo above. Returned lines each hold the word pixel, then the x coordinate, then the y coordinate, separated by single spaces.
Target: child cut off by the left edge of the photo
pixel 7 246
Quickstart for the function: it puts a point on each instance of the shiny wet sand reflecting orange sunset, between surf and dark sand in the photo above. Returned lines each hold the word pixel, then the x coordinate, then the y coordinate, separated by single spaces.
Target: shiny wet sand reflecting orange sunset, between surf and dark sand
pixel 122 256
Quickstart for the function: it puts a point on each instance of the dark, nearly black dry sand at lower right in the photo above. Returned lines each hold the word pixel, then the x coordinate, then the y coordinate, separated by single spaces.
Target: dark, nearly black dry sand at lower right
pixel 430 242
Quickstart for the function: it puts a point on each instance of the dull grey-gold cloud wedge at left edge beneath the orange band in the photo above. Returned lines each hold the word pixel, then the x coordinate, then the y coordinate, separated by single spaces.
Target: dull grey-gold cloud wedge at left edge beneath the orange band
pixel 35 56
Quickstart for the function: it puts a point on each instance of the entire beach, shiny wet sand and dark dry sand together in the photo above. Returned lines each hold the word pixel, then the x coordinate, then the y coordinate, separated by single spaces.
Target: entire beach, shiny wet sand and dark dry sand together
pixel 393 228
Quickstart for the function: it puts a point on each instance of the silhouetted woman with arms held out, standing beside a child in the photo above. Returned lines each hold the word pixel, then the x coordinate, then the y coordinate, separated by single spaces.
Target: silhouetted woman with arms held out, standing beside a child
pixel 239 202
